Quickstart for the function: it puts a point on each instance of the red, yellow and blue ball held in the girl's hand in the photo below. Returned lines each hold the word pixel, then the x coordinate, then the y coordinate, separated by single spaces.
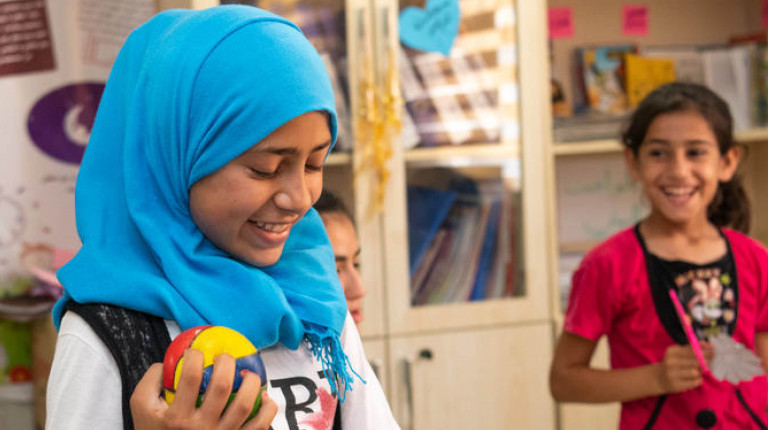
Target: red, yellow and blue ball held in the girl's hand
pixel 212 340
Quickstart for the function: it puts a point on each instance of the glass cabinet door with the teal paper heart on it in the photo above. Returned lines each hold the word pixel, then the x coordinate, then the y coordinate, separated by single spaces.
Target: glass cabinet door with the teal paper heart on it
pixel 460 171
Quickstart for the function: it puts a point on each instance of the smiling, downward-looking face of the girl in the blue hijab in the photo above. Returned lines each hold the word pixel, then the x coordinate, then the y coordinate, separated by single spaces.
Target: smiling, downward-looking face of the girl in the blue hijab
pixel 247 207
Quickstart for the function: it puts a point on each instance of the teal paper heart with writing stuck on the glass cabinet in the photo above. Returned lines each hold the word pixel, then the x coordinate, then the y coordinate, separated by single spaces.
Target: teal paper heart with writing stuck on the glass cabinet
pixel 430 29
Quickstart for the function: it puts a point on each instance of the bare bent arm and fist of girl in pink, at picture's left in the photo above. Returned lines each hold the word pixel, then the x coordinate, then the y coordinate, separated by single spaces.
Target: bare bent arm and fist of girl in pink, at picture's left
pixel 573 380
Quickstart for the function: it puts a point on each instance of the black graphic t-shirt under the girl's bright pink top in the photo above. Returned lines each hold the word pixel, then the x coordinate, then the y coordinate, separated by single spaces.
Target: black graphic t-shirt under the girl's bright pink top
pixel 708 293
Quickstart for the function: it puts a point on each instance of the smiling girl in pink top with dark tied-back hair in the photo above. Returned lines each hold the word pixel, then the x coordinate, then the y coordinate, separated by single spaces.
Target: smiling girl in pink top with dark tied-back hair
pixel 679 147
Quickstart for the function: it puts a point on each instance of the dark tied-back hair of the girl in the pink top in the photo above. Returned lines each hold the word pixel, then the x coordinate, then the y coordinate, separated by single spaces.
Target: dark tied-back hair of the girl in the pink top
pixel 730 207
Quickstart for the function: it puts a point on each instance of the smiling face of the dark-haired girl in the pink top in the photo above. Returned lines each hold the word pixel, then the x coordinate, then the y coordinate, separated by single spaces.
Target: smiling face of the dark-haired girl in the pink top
pixel 680 166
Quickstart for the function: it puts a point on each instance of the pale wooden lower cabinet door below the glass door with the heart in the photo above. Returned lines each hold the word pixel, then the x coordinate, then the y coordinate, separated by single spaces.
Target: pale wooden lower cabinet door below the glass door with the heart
pixel 492 378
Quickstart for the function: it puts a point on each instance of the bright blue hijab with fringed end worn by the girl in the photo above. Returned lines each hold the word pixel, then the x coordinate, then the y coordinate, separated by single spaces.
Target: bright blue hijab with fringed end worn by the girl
pixel 190 91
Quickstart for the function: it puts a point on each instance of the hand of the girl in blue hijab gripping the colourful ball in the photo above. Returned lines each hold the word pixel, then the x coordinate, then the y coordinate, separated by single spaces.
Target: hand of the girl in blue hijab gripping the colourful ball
pixel 150 410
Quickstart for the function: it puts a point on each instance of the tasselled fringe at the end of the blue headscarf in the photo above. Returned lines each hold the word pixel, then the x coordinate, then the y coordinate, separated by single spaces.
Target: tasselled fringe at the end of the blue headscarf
pixel 326 348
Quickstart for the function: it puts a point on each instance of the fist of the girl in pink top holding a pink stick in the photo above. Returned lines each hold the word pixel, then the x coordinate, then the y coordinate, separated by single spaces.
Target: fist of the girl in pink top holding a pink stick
pixel 680 370
